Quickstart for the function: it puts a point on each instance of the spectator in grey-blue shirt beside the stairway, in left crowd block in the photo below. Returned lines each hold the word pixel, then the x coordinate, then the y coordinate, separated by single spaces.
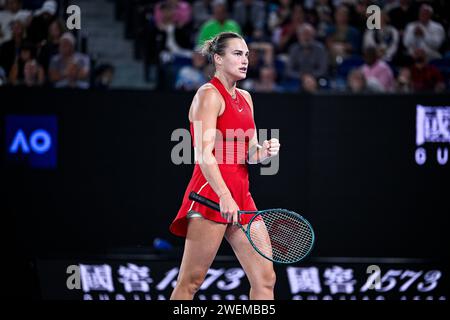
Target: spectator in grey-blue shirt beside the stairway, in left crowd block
pixel 69 68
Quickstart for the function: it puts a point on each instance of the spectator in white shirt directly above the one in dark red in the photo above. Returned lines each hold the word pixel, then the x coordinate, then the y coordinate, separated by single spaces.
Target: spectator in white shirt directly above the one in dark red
pixel 424 33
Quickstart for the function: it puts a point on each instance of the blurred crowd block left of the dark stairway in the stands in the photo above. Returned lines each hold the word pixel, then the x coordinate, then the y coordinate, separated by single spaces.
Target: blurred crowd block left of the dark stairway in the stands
pixel 36 49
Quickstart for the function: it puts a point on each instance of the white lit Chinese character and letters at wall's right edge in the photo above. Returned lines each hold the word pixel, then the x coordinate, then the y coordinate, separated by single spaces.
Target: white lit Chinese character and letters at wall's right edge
pixel 432 134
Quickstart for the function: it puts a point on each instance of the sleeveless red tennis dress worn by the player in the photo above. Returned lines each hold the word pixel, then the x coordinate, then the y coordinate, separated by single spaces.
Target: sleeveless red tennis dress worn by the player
pixel 236 127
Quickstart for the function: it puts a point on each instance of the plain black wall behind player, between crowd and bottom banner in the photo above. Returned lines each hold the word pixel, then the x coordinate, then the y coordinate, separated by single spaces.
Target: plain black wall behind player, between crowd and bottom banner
pixel 346 163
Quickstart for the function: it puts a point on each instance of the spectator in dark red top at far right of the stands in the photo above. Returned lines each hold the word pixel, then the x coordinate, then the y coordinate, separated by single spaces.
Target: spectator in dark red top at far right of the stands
pixel 425 77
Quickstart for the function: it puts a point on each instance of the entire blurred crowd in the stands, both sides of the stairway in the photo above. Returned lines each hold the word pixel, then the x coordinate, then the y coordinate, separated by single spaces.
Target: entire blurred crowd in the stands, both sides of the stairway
pixel 295 45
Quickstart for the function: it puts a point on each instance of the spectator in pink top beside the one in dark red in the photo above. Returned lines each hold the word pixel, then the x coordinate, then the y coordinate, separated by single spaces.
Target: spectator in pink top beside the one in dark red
pixel 376 71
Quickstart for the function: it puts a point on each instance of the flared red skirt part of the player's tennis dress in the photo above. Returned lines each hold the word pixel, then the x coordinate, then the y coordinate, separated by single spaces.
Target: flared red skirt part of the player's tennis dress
pixel 236 179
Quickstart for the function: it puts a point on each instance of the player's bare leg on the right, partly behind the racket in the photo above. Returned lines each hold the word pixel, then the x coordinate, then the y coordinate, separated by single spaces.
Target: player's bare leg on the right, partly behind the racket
pixel 259 270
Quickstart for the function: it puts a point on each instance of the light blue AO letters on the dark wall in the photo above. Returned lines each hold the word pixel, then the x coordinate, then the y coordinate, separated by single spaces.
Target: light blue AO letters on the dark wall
pixel 39 141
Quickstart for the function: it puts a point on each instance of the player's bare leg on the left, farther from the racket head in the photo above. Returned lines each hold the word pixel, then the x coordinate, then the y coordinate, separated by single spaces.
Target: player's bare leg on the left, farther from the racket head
pixel 203 239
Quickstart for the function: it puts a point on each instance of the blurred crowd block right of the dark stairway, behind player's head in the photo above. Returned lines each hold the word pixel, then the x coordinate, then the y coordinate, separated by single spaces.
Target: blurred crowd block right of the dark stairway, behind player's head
pixel 309 45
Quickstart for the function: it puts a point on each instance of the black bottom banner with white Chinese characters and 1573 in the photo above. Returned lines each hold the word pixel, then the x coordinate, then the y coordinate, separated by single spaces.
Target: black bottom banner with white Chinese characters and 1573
pixel 322 279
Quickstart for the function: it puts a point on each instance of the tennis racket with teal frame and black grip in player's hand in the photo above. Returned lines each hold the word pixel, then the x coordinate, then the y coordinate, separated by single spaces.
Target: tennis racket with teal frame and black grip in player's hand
pixel 279 235
